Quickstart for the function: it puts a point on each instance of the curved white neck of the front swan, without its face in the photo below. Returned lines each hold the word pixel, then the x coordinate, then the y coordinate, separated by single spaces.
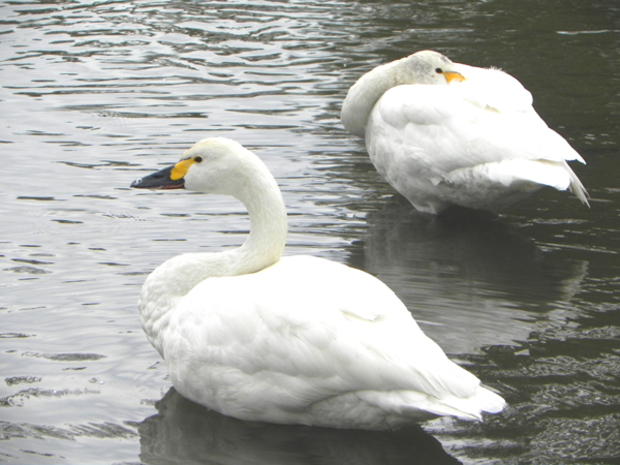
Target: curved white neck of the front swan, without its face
pixel 248 179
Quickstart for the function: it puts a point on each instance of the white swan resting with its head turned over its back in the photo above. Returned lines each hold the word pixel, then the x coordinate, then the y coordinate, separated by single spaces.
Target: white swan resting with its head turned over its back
pixel 444 133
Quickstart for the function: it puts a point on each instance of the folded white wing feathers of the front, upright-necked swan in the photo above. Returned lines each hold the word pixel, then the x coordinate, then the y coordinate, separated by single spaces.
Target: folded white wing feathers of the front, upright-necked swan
pixel 363 340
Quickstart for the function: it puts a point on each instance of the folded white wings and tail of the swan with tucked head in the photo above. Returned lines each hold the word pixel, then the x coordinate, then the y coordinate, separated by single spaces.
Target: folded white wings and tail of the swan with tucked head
pixel 468 132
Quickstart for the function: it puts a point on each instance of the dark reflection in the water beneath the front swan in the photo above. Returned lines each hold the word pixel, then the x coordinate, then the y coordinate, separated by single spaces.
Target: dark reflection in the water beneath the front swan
pixel 185 432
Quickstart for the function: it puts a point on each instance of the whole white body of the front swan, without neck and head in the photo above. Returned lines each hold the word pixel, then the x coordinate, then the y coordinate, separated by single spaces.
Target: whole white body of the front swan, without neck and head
pixel 313 341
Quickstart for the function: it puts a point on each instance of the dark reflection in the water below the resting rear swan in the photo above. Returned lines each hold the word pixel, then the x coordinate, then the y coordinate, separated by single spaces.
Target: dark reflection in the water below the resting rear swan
pixel 469 278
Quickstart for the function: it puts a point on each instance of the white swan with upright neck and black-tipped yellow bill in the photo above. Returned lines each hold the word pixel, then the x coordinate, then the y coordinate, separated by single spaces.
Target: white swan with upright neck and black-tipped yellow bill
pixel 293 340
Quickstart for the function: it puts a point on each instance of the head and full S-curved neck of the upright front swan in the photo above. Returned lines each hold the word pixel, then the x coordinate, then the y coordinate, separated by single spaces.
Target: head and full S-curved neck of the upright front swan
pixel 254 186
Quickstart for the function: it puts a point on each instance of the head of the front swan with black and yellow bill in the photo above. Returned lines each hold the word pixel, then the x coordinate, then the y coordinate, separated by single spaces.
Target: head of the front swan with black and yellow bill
pixel 215 165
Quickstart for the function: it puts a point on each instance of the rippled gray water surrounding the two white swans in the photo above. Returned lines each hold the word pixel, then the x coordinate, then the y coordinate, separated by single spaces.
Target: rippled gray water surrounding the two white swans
pixel 96 93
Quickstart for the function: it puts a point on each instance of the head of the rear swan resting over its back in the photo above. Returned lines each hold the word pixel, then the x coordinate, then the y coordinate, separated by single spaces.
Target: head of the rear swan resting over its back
pixel 427 67
